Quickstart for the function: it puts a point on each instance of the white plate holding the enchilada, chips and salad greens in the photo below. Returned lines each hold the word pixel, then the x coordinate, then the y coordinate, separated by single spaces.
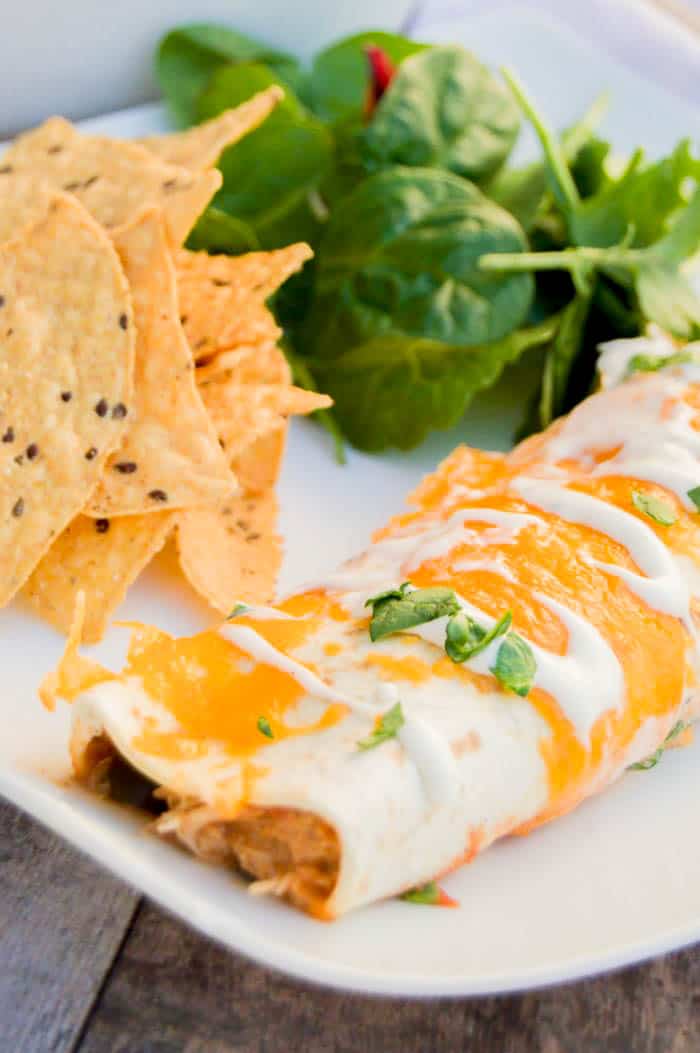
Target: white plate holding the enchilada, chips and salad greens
pixel 615 883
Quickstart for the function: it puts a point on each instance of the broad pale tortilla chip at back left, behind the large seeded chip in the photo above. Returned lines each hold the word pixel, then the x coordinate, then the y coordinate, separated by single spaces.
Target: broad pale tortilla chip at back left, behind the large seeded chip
pixel 115 181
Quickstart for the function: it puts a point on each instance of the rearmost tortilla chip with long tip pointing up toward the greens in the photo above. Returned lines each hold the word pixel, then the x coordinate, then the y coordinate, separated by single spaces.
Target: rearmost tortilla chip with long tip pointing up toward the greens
pixel 199 148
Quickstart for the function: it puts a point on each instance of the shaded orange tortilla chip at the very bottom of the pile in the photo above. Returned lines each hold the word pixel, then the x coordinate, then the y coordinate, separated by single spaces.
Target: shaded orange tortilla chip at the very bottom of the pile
pixel 99 558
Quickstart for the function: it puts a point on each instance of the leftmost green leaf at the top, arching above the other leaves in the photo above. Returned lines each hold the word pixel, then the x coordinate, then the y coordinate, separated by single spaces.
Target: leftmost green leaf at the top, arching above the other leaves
pixel 189 56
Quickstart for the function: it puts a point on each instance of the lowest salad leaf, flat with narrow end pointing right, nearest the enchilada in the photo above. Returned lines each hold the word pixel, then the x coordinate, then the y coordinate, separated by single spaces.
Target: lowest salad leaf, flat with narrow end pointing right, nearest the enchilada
pixel 392 391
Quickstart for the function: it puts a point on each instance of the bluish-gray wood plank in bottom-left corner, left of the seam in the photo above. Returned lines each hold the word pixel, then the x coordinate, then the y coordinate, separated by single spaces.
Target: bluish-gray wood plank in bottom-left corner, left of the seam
pixel 63 920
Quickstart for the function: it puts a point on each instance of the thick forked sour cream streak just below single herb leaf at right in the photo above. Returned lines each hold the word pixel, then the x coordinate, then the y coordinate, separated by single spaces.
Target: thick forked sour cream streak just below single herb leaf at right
pixel 664 589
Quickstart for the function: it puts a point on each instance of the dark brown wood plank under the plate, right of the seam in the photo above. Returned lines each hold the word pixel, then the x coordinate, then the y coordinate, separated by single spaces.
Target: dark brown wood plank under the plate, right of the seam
pixel 174 992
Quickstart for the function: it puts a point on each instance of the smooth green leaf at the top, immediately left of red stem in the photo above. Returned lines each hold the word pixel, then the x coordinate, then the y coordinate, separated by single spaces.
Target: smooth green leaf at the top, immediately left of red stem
pixel 341 74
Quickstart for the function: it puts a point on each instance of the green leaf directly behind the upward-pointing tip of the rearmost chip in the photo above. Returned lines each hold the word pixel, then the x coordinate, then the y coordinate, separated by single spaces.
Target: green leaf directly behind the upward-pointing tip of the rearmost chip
pixel 270 177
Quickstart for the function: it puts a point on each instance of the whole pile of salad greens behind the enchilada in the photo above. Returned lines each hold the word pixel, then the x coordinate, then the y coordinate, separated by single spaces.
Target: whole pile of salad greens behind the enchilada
pixel 437 264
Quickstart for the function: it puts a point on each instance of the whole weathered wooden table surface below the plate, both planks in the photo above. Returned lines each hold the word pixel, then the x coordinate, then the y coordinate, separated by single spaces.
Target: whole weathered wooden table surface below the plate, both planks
pixel 87 966
